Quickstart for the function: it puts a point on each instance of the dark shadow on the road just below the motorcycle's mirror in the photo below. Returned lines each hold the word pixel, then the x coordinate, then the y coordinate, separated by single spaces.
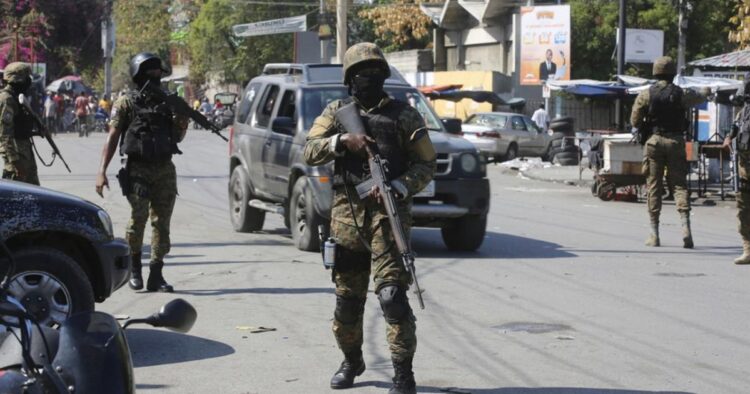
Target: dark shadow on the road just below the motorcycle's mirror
pixel 156 347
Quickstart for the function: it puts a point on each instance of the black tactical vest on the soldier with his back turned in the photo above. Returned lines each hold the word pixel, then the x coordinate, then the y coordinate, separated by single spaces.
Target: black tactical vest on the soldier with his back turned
pixel 666 114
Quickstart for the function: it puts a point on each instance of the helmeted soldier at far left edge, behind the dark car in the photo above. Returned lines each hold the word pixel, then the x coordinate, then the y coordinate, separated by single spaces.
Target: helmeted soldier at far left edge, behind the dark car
pixel 16 126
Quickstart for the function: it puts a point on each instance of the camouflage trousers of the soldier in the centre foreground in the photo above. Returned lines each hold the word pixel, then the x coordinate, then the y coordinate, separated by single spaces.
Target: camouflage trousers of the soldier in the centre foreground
pixel 353 270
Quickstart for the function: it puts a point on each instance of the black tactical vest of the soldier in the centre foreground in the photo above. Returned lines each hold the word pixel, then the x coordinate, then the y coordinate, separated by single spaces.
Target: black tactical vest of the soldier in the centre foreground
pixel 382 126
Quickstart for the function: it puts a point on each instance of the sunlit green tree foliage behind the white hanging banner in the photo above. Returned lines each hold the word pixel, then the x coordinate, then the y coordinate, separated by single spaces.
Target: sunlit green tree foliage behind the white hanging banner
pixel 213 48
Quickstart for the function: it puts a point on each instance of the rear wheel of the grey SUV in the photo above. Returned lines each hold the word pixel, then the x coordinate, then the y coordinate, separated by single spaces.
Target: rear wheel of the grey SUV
pixel 245 218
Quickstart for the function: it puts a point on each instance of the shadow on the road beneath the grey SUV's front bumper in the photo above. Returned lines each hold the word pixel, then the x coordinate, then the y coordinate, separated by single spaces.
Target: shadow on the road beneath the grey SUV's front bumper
pixel 429 243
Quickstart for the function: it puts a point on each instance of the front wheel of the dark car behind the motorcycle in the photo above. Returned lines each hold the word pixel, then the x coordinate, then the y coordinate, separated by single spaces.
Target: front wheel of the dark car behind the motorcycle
pixel 50 285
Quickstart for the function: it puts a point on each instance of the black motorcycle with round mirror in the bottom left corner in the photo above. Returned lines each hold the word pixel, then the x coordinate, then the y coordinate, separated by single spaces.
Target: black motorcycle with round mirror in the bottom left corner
pixel 88 354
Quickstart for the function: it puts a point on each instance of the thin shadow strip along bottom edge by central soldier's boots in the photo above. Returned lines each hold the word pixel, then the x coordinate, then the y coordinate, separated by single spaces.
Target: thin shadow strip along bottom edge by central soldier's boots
pixel 519 390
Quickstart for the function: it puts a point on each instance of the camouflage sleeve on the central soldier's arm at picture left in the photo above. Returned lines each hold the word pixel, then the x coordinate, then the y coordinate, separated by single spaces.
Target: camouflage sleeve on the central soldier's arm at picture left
pixel 322 138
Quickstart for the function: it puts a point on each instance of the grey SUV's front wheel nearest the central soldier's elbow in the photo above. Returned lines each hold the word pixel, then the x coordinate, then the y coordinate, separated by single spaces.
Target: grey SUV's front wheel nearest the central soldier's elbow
pixel 303 218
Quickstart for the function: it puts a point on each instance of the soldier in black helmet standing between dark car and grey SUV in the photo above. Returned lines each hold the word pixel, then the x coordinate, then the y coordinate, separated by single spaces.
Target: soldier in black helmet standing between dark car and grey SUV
pixel 148 133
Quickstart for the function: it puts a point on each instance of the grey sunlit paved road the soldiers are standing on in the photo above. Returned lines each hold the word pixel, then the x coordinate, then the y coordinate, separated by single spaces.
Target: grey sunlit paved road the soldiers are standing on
pixel 562 297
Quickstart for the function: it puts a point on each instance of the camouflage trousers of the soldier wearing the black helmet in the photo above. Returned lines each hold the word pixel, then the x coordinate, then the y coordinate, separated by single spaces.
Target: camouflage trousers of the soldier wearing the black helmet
pixel 153 194
